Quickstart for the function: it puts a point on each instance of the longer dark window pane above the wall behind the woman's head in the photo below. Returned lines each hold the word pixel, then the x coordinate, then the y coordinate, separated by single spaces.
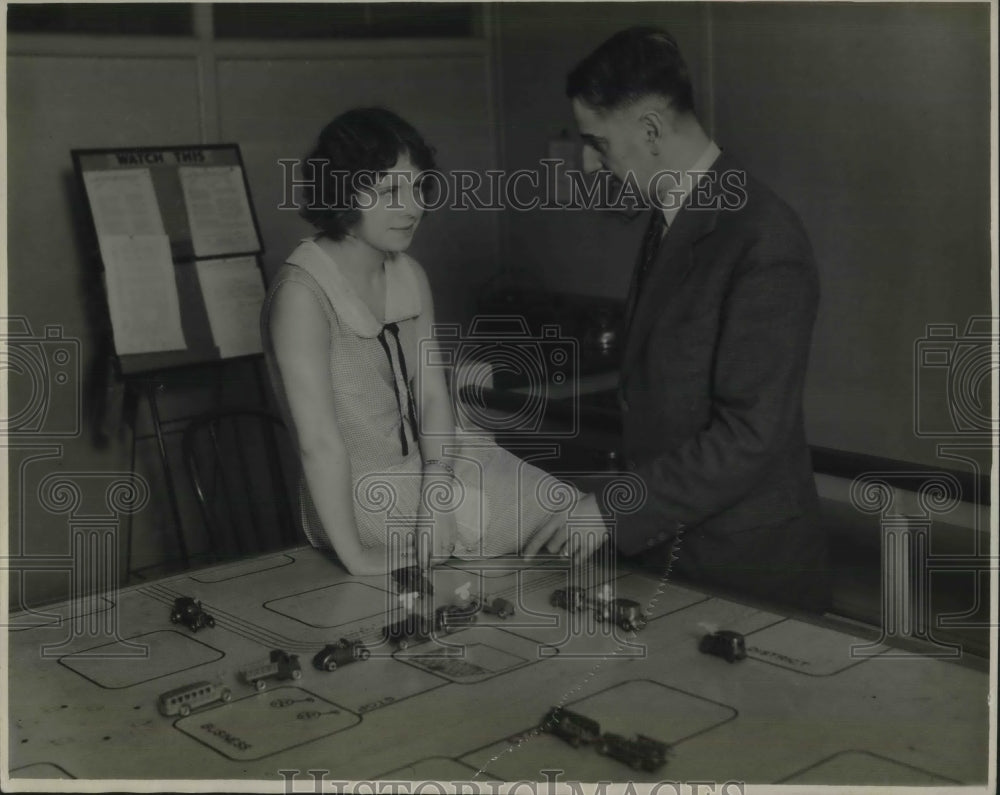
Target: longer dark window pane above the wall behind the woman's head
pixel 342 20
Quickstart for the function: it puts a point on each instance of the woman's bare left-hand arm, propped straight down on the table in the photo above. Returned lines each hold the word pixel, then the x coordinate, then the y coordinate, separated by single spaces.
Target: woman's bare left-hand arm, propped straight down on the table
pixel 301 337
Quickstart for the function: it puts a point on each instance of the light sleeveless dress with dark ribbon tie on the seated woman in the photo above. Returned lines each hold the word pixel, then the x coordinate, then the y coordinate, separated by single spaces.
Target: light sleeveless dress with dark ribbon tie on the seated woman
pixel 499 501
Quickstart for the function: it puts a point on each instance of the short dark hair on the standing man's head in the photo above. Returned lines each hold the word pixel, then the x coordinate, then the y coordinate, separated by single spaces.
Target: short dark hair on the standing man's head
pixel 632 64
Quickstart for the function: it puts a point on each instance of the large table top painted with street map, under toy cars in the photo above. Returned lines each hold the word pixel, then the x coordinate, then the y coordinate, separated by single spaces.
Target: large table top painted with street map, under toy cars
pixel 809 704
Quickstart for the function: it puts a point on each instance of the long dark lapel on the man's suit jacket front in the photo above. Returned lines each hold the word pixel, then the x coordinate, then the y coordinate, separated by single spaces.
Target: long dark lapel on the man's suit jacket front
pixel 672 264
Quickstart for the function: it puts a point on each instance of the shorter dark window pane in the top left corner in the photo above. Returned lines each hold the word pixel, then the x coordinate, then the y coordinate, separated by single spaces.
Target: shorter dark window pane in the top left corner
pixel 142 19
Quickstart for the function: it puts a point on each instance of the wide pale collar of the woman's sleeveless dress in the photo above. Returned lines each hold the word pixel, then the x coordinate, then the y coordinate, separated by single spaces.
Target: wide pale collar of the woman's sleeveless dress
pixel 402 296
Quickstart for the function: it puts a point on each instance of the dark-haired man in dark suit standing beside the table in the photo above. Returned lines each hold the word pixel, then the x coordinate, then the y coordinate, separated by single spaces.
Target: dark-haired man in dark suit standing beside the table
pixel 720 314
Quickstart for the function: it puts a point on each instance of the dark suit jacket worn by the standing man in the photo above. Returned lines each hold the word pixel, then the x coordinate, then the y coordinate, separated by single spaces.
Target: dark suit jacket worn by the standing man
pixel 712 379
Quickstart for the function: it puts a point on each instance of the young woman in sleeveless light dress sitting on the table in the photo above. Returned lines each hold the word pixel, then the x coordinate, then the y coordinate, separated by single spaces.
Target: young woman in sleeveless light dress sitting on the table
pixel 343 327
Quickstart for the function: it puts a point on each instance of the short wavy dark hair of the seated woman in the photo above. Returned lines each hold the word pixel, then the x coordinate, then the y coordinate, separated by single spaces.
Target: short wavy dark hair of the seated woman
pixel 360 141
